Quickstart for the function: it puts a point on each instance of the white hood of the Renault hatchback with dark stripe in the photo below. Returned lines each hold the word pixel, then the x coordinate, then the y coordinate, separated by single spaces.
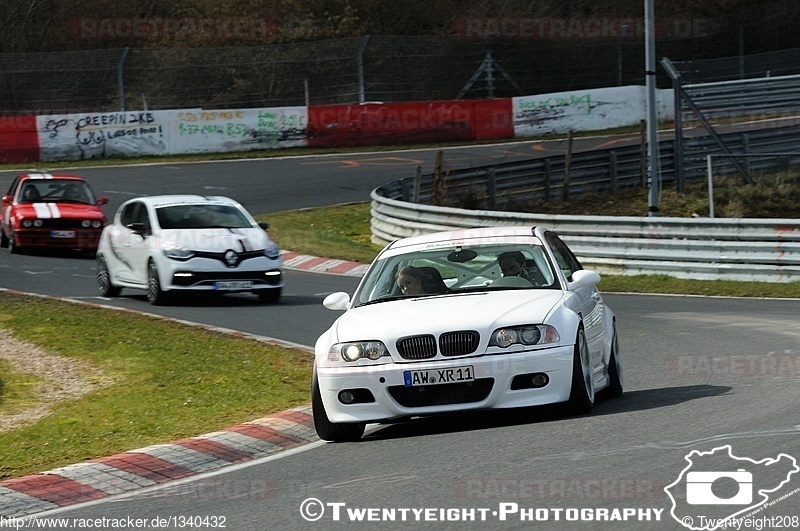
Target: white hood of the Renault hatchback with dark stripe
pixel 216 240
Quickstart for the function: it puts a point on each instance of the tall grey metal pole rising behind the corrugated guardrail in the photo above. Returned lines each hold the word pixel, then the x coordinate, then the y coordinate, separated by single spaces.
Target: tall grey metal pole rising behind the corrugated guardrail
pixel 652 116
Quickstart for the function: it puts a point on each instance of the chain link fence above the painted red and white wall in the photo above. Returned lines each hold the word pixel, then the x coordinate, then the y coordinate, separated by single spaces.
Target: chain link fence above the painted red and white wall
pixel 391 68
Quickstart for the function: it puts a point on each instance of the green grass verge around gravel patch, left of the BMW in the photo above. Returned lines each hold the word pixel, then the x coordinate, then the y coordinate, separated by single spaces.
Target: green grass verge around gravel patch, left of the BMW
pixel 168 381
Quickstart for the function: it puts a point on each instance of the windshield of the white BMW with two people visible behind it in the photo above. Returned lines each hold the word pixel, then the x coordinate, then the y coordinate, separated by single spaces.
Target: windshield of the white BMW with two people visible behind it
pixel 448 270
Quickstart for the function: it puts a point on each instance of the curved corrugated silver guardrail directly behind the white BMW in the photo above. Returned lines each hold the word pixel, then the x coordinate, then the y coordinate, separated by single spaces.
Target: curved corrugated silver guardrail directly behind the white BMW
pixel 765 250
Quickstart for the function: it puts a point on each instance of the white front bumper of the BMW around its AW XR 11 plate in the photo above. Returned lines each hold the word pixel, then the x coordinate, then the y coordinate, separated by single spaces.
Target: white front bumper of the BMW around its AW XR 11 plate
pixel 383 395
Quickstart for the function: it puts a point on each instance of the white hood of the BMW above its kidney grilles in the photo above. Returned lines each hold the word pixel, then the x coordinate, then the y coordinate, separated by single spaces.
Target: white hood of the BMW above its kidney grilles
pixel 483 312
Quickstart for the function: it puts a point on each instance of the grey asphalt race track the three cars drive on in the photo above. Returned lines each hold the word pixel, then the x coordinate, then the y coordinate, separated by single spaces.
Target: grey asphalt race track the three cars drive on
pixel 700 373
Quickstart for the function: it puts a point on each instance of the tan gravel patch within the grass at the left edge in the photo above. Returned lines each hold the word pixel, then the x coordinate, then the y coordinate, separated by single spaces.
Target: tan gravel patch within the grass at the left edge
pixel 61 378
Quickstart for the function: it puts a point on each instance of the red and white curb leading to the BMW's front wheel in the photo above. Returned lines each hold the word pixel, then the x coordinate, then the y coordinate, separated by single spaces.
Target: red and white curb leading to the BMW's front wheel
pixel 156 464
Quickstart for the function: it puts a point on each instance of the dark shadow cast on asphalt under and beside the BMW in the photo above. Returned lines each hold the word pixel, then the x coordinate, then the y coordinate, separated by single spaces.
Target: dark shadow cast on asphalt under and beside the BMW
pixel 480 420
